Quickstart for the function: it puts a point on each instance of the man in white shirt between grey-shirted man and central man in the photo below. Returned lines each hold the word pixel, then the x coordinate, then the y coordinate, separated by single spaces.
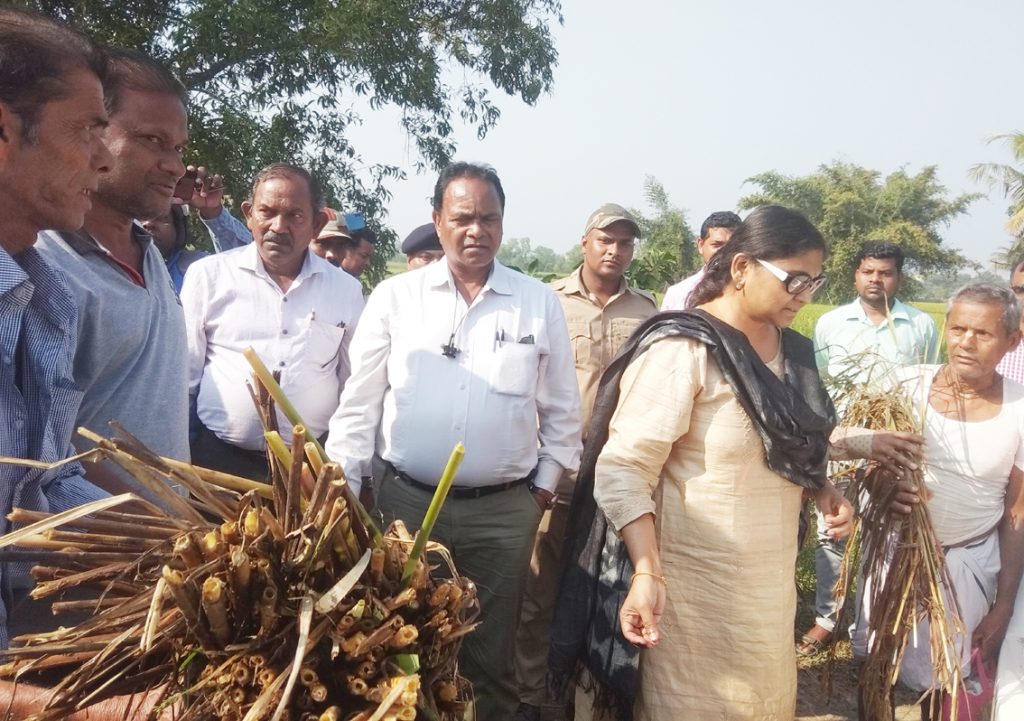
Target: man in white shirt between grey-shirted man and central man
pixel 292 307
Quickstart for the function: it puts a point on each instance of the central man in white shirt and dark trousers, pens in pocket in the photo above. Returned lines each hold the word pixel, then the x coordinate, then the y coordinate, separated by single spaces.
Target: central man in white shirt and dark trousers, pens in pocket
pixel 467 351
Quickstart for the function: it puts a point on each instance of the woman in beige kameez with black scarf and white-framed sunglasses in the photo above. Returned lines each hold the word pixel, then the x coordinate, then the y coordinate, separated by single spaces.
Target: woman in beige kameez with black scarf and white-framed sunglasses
pixel 711 530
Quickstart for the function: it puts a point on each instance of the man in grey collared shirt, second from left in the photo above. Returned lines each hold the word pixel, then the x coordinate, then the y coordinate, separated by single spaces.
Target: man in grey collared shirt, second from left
pixel 132 362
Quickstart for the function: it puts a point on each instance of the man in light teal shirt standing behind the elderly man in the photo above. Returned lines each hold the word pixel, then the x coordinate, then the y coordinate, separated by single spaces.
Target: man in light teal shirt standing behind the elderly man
pixel 856 344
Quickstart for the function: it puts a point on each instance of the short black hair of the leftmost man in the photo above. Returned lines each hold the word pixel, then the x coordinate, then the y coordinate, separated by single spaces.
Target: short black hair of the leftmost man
pixel 37 54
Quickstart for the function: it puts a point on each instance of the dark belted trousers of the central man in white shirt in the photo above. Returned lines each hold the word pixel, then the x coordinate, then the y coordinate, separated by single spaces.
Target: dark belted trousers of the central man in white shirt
pixel 491 539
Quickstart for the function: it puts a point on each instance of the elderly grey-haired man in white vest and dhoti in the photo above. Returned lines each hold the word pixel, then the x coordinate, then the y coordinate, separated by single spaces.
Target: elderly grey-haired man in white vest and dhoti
pixel 974 482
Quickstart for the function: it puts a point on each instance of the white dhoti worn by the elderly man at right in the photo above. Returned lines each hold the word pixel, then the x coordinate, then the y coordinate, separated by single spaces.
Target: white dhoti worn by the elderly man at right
pixel 973 571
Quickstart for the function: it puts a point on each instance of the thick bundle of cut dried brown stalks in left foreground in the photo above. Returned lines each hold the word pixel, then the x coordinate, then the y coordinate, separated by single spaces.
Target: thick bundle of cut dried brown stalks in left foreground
pixel 246 601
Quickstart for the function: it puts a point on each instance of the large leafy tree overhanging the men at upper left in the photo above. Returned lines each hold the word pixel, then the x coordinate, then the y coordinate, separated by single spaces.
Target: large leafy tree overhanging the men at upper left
pixel 281 80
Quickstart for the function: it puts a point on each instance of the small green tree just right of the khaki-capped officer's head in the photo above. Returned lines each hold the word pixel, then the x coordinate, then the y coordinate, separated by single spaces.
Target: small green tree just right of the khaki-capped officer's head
pixel 666 252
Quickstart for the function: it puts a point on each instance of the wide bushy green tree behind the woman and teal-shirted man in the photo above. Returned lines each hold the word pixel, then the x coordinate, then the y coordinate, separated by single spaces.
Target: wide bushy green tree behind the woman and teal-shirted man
pixel 850 205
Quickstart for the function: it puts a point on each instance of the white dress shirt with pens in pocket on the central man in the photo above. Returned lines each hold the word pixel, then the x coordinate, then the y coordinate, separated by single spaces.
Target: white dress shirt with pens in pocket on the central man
pixel 509 394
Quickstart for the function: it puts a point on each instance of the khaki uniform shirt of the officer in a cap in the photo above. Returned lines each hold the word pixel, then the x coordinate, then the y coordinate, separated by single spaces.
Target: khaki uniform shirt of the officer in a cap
pixel 598 333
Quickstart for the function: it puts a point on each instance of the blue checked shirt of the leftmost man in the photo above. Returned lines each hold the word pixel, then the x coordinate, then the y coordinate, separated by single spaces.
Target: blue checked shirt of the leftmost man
pixel 38 400
